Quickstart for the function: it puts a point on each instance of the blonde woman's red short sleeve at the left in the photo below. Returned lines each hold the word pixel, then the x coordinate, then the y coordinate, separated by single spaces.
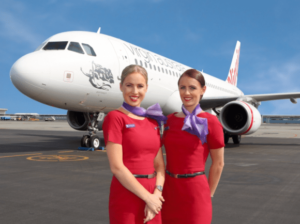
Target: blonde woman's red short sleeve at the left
pixel 113 128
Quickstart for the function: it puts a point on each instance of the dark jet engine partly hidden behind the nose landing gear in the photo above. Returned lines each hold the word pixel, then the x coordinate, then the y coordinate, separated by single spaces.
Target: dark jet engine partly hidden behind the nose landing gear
pixel 78 120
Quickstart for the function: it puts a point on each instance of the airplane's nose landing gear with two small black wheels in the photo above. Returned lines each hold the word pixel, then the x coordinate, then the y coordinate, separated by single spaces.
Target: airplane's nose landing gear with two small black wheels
pixel 95 123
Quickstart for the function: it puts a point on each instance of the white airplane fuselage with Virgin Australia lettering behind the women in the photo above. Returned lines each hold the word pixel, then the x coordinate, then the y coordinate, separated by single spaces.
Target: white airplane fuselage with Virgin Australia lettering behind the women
pixel 84 83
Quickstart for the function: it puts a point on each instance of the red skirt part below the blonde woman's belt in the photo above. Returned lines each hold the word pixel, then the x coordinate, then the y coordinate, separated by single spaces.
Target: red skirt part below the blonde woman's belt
pixel 125 207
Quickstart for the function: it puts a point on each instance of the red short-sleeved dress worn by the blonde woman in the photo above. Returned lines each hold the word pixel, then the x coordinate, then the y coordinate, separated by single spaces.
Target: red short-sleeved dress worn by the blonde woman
pixel 140 140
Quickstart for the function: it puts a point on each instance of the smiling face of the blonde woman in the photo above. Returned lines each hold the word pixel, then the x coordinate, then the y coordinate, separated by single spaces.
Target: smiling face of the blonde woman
pixel 134 89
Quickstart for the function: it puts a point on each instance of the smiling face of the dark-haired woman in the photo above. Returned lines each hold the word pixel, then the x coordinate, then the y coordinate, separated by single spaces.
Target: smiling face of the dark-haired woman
pixel 190 91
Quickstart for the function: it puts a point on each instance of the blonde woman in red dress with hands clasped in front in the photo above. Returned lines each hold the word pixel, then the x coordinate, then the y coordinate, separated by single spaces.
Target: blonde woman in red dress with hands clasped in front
pixel 134 151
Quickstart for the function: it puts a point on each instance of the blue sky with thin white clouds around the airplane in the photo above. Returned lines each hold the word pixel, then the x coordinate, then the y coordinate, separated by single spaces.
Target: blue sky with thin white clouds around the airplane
pixel 200 34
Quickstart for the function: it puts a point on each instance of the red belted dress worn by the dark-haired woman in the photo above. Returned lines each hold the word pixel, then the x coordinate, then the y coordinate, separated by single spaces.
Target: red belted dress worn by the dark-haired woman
pixel 187 200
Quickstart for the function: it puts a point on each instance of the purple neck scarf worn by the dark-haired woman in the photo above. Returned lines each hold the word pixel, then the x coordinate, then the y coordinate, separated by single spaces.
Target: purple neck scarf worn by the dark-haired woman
pixel 195 125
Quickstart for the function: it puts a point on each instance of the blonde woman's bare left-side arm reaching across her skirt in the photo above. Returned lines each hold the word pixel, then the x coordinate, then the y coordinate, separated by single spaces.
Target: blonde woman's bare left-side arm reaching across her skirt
pixel 120 171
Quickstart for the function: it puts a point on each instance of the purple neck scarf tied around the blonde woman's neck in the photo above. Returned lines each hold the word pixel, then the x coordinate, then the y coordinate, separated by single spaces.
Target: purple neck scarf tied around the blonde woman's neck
pixel 153 112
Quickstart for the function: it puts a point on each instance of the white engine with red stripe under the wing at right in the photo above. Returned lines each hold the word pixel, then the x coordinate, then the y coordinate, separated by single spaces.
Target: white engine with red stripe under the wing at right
pixel 240 118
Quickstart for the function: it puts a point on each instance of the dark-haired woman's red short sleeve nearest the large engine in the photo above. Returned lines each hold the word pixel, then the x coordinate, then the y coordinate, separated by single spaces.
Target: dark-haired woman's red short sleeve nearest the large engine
pixel 215 137
